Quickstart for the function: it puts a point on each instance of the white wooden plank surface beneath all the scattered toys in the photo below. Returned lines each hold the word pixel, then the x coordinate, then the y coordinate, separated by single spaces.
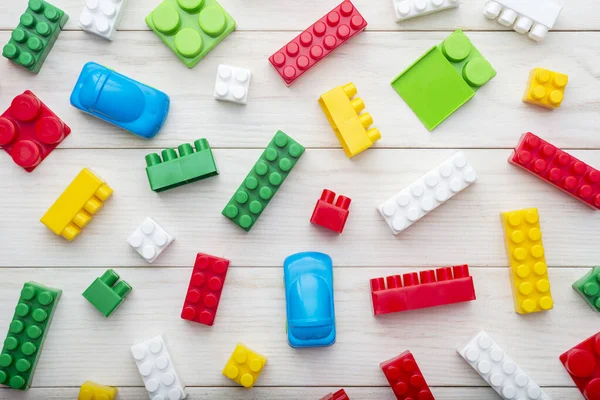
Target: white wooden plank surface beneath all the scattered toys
pixel 83 345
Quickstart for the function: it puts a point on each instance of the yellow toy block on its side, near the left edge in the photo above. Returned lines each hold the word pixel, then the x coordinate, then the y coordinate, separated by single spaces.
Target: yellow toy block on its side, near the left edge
pixel 74 208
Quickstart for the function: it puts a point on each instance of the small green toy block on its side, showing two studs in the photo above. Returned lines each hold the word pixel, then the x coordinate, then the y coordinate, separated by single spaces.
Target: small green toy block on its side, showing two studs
pixel 104 295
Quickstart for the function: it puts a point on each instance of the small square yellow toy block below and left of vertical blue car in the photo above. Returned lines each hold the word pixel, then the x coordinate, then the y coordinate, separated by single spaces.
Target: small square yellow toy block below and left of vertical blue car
pixel 244 366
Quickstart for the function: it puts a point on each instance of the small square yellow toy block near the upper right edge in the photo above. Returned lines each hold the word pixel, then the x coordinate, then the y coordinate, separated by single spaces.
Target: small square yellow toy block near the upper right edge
pixel 545 88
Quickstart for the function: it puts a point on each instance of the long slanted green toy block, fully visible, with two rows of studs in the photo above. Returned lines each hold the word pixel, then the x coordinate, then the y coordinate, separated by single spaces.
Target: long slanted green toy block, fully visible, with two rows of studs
pixel 261 184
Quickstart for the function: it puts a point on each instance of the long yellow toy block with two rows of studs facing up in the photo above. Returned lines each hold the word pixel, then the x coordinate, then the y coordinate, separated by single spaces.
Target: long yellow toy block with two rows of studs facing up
pixel 528 269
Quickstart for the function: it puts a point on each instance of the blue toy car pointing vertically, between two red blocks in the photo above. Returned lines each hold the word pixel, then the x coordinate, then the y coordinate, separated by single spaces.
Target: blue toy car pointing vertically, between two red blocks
pixel 308 279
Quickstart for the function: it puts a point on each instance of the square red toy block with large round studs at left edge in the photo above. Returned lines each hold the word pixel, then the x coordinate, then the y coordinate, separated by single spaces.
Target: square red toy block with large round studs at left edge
pixel 29 131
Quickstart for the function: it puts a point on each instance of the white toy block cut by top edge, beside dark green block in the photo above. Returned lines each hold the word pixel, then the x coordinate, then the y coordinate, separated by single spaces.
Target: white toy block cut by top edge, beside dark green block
pixel 102 17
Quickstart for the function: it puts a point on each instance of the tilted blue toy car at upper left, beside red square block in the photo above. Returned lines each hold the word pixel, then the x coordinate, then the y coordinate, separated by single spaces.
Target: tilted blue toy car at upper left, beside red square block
pixel 120 100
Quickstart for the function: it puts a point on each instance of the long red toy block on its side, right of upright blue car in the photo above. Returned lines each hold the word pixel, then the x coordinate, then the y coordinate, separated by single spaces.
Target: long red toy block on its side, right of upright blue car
pixel 436 288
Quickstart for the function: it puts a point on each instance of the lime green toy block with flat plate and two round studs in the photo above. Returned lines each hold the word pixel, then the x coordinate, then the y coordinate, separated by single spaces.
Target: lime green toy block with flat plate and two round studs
pixel 443 79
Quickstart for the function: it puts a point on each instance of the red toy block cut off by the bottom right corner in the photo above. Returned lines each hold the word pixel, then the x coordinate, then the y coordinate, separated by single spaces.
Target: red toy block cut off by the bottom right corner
pixel 583 364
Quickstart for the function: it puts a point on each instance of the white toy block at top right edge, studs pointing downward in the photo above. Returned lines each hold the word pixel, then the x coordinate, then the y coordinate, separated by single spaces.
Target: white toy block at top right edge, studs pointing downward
pixel 534 16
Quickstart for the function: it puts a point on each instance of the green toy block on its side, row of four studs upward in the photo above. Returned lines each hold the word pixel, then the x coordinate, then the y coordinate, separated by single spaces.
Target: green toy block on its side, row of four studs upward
pixel 172 171
